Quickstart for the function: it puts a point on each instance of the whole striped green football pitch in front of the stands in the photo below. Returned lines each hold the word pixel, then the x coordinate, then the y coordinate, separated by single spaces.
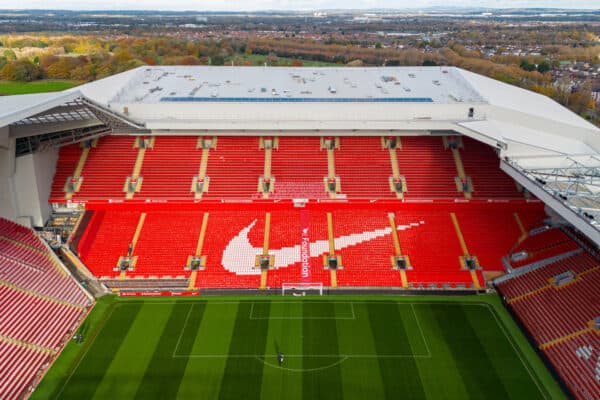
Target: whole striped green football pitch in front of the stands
pixel 334 347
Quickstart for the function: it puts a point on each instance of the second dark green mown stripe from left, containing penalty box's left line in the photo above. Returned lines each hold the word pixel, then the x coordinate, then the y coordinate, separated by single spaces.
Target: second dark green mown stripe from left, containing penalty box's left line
pixel 164 372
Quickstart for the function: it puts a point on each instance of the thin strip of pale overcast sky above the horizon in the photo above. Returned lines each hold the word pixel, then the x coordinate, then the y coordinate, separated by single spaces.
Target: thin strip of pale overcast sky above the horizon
pixel 251 5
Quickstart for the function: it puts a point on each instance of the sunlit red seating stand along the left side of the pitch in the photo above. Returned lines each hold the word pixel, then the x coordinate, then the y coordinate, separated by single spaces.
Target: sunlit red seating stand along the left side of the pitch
pixel 41 306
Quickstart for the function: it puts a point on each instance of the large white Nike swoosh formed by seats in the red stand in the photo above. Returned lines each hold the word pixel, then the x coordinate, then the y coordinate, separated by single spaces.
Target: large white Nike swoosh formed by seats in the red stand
pixel 239 254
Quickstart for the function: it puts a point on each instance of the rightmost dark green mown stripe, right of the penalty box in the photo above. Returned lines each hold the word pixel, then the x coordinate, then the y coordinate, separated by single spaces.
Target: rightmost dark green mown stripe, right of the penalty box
pixel 478 373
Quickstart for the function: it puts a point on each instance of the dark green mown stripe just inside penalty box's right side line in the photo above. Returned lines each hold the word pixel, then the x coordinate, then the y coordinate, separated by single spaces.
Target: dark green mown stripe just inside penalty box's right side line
pixel 400 376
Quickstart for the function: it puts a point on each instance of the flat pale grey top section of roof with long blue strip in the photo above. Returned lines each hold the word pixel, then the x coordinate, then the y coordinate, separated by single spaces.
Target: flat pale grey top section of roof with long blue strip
pixel 285 84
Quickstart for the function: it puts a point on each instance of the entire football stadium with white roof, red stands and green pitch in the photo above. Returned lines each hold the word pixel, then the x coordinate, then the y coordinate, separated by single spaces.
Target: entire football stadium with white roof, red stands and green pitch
pixel 299 233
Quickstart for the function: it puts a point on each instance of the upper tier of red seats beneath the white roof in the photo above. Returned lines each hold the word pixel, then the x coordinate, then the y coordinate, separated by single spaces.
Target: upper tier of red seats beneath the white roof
pixel 298 168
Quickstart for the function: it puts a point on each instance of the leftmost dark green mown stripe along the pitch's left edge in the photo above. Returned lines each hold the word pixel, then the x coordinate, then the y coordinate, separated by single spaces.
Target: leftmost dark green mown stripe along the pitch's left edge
pixel 90 372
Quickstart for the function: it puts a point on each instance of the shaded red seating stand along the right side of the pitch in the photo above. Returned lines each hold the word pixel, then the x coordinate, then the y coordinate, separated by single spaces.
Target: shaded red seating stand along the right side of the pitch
pixel 557 303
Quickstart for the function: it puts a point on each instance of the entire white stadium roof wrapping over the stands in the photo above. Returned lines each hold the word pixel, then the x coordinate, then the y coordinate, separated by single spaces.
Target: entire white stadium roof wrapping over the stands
pixel 173 100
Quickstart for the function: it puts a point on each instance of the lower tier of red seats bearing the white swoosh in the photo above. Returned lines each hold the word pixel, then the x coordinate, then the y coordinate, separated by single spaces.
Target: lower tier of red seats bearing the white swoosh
pixel 234 238
